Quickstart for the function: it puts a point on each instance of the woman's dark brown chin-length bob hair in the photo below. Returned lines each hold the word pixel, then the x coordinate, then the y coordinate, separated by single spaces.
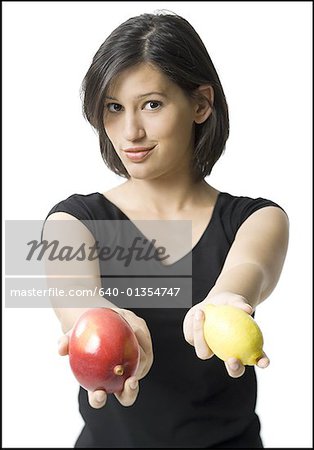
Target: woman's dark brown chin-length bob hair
pixel 170 43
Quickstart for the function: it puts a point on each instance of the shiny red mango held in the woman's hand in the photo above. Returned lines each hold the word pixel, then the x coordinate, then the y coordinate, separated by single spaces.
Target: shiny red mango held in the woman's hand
pixel 103 350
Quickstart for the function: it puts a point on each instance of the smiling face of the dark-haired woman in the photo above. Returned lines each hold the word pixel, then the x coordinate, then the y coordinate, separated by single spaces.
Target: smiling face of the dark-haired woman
pixel 150 122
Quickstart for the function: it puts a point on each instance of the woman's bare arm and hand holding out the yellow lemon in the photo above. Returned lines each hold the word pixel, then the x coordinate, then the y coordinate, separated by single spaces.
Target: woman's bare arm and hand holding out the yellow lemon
pixel 249 275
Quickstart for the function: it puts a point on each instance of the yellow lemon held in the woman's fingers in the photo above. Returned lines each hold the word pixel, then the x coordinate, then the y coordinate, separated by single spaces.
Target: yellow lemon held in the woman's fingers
pixel 231 332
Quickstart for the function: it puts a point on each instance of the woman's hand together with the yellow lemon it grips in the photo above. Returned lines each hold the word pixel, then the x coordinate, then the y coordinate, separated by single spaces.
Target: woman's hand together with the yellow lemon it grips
pixel 225 328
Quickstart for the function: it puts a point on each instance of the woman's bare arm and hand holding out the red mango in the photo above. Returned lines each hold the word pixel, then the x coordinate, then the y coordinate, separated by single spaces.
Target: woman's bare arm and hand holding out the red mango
pixel 76 276
